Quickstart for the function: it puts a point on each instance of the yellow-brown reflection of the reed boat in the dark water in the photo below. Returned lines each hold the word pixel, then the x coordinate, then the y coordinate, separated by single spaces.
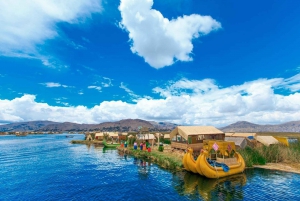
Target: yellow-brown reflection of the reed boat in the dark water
pixel 197 187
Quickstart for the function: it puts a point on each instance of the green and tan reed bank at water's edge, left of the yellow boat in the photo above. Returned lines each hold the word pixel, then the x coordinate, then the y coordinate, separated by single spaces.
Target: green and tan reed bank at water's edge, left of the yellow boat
pixel 165 159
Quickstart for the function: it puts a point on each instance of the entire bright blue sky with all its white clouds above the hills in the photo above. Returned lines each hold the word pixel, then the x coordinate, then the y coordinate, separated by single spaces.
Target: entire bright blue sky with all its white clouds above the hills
pixel 189 62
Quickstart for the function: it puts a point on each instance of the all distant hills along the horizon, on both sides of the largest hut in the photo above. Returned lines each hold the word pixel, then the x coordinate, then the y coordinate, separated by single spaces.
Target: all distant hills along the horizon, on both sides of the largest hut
pixel 134 125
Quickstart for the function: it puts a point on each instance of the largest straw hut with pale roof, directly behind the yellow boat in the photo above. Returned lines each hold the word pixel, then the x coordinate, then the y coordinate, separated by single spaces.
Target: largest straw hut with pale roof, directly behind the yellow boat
pixel 193 136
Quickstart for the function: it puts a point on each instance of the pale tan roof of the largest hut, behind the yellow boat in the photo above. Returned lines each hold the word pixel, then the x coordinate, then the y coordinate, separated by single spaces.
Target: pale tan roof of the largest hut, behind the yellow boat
pixel 186 131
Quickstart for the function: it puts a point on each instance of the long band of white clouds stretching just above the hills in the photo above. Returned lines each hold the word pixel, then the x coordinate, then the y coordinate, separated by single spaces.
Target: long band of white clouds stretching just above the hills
pixel 185 102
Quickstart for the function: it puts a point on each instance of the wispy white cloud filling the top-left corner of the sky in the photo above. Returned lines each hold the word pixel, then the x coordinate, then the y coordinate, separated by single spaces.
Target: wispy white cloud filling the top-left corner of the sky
pixel 26 24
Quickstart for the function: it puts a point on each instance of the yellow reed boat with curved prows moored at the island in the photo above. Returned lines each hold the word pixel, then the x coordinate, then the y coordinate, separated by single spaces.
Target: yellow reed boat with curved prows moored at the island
pixel 227 161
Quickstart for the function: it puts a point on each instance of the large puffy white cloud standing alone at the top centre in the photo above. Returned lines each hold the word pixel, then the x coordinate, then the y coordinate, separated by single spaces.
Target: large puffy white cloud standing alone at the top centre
pixel 160 41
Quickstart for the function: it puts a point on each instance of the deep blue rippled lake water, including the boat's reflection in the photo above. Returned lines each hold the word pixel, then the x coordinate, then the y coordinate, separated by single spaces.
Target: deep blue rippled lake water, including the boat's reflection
pixel 49 167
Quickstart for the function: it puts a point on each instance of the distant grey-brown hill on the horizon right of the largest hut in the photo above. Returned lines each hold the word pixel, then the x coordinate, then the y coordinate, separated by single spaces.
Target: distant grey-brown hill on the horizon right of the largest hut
pixel 244 126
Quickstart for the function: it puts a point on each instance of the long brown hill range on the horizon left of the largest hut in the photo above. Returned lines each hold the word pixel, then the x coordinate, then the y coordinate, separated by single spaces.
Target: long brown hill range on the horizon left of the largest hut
pixel 123 126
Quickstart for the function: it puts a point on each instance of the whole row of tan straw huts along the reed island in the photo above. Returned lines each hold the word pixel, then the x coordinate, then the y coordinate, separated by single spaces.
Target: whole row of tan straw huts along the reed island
pixel 183 137
